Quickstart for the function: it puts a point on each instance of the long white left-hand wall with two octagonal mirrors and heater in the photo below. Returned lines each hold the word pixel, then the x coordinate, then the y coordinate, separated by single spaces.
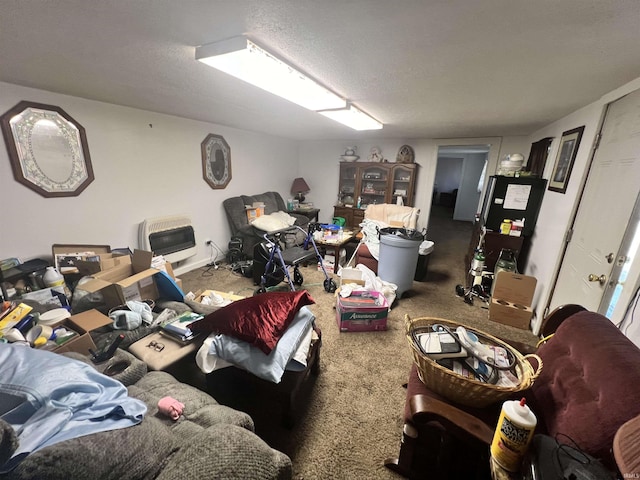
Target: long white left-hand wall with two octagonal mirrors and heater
pixel 145 165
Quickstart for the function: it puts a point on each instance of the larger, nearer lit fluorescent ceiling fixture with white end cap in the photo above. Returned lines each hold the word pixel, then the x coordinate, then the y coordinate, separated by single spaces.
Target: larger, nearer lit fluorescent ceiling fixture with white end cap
pixel 240 57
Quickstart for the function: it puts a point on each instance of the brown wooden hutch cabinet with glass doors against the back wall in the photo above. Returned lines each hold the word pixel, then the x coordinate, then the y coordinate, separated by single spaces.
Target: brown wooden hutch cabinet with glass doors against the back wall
pixel 373 183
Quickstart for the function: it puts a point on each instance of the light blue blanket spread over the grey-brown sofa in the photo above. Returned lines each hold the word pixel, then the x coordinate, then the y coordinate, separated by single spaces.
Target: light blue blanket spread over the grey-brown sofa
pixel 48 398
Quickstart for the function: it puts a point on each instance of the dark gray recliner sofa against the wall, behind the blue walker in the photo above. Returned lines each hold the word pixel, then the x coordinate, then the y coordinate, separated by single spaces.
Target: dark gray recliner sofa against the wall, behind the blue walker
pixel 239 223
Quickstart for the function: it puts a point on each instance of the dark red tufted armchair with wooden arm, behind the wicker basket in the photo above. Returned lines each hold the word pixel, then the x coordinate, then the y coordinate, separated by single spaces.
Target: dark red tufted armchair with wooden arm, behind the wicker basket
pixel 586 391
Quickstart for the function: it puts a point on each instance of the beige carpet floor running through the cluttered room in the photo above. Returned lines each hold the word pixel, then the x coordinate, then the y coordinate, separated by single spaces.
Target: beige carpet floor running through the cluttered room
pixel 353 416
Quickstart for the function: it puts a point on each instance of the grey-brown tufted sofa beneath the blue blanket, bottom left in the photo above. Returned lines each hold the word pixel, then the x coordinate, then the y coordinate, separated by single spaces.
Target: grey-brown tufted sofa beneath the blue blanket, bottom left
pixel 205 441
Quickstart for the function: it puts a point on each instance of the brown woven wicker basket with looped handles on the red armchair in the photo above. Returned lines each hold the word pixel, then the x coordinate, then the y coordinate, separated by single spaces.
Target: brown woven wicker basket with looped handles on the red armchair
pixel 462 390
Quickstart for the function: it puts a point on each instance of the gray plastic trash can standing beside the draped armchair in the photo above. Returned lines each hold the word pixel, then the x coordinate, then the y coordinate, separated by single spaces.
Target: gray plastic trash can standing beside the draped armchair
pixel 399 256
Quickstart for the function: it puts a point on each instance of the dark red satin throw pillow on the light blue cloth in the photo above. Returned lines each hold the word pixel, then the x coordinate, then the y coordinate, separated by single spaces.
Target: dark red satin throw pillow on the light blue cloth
pixel 259 320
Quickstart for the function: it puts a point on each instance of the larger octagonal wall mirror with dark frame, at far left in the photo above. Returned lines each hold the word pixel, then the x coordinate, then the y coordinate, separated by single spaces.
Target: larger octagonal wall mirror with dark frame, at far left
pixel 48 149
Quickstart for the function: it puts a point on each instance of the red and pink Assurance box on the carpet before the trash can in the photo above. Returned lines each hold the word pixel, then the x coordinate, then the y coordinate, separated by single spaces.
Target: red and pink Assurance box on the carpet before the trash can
pixel 362 312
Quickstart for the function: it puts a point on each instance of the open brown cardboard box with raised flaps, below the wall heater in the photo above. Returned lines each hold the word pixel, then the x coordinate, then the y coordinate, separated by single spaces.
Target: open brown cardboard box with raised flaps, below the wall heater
pixel 134 281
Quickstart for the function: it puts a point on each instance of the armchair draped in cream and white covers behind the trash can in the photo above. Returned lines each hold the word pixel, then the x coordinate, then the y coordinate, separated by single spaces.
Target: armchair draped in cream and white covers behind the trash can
pixel 382 216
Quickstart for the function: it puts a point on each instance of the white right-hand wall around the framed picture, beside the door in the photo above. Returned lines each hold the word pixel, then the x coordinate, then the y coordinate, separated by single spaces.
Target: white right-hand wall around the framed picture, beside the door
pixel 558 209
